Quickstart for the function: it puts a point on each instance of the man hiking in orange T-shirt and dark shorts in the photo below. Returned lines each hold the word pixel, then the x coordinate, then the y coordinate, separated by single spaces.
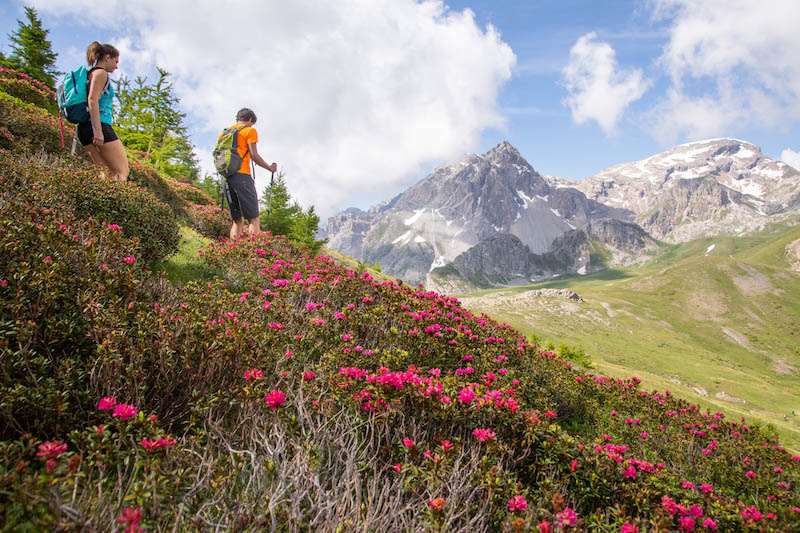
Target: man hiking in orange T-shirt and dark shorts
pixel 243 199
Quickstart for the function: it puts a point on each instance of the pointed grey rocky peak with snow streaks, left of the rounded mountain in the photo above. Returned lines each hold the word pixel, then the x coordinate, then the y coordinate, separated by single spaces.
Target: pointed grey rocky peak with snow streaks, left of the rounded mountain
pixel 459 206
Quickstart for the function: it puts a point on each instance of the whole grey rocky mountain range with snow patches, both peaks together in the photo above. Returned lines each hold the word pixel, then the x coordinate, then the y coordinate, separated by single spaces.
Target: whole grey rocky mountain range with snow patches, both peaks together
pixel 492 220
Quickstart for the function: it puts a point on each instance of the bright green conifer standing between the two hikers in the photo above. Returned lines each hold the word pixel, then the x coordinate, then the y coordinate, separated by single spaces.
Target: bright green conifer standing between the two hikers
pixel 147 120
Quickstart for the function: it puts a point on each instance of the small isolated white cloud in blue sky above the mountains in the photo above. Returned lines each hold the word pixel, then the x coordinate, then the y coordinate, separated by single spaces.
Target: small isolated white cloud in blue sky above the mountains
pixel 598 88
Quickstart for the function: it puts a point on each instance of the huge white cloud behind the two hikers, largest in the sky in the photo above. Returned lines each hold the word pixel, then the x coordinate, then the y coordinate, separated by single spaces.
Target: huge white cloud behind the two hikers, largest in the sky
pixel 352 97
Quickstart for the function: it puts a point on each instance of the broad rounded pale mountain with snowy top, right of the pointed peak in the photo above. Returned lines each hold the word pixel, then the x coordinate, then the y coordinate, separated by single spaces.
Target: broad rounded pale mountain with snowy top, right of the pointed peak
pixel 698 189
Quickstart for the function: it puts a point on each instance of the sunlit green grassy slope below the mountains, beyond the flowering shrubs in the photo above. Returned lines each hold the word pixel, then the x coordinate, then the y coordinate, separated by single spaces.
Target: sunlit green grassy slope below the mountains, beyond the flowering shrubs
pixel 722 328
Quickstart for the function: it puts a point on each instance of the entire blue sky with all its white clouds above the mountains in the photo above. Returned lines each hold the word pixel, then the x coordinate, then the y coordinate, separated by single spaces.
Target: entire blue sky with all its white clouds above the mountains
pixel 359 99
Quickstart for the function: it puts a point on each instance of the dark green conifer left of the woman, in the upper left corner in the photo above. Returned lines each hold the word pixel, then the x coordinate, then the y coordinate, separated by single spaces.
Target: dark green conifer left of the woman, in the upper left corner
pixel 31 51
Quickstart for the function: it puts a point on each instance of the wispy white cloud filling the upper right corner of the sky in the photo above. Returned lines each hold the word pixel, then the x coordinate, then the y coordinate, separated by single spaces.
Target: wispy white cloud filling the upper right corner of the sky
pixel 732 64
